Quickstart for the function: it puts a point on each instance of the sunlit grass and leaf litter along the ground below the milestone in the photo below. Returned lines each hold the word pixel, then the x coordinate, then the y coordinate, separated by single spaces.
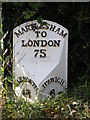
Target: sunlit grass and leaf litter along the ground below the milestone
pixel 72 105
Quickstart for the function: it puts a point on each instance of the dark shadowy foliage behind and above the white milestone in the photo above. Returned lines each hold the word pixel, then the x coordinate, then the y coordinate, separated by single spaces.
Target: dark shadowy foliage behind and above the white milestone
pixel 74 16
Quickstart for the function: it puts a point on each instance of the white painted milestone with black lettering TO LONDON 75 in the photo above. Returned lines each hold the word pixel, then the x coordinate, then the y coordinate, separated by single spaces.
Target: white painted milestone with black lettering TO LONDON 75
pixel 40 56
